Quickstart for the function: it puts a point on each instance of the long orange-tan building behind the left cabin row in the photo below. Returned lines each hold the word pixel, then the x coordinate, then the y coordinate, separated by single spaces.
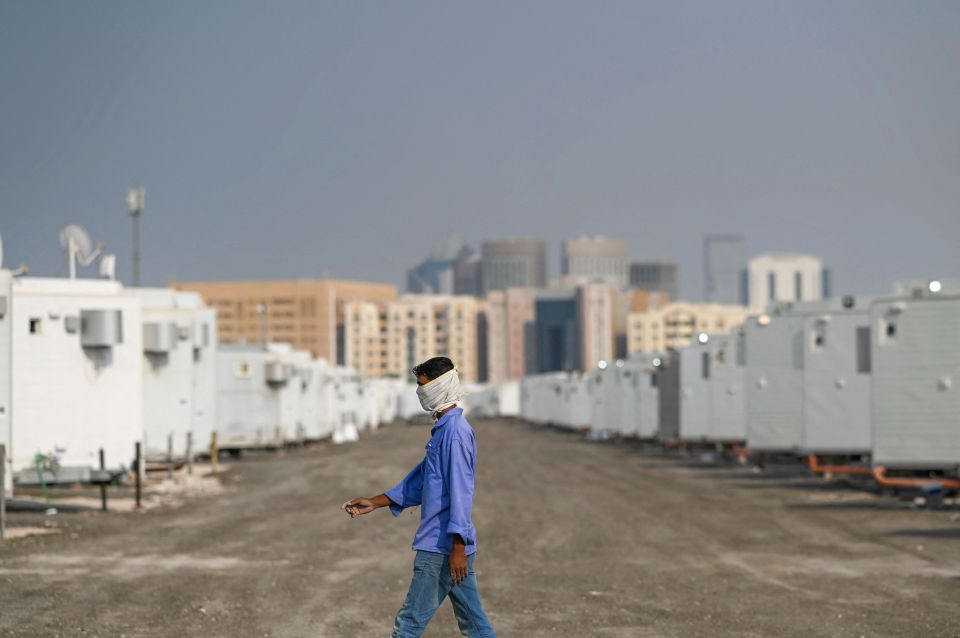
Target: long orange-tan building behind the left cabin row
pixel 307 313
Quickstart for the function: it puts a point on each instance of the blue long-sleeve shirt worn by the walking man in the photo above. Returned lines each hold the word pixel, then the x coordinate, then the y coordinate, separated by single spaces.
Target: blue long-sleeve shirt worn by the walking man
pixel 442 485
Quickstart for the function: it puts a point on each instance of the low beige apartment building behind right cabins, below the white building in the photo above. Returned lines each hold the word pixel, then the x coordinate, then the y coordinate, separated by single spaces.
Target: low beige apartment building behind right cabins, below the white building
pixel 675 324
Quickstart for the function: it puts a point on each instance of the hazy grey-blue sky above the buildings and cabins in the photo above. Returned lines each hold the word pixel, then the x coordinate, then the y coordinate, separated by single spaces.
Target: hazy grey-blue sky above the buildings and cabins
pixel 282 139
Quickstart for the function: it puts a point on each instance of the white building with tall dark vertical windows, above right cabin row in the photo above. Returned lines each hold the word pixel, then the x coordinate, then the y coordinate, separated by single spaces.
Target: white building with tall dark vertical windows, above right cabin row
pixel 778 276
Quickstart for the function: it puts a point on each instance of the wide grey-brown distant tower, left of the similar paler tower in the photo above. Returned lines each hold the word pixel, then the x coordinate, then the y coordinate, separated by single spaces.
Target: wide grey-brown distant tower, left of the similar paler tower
pixel 513 263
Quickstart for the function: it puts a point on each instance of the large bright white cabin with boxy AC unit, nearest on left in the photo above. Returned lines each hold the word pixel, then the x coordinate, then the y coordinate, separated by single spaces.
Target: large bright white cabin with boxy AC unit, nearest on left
pixel 76 374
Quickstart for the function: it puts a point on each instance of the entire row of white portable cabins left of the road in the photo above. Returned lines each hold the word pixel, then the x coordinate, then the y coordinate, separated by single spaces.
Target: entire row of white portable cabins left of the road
pixel 88 365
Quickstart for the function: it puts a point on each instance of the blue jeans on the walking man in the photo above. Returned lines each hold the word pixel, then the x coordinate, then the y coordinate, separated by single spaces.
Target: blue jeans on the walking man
pixel 430 585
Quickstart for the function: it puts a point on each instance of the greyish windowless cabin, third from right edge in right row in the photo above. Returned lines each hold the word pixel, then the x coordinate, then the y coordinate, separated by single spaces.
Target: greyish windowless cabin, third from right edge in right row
pixel 774 389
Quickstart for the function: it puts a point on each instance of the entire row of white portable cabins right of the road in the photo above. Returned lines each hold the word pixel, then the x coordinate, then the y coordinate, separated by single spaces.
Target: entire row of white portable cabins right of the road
pixel 870 376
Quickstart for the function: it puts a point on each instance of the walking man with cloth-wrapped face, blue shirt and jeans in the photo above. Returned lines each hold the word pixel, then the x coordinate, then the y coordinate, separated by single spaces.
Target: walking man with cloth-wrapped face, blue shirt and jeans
pixel 442 485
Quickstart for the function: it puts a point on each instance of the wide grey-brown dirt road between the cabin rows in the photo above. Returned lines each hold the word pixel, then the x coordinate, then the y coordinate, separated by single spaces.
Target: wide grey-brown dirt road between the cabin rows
pixel 576 539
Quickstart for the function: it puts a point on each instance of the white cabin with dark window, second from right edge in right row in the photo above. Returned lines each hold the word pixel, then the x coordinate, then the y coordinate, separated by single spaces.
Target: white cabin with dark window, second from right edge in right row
pixel 836 376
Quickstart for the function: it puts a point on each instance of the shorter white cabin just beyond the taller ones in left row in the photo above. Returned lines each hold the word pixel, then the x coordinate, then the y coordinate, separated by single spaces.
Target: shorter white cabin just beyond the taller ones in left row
pixel 250 380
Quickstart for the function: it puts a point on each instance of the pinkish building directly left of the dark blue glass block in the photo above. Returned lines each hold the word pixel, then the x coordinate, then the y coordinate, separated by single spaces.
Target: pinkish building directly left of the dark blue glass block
pixel 508 313
